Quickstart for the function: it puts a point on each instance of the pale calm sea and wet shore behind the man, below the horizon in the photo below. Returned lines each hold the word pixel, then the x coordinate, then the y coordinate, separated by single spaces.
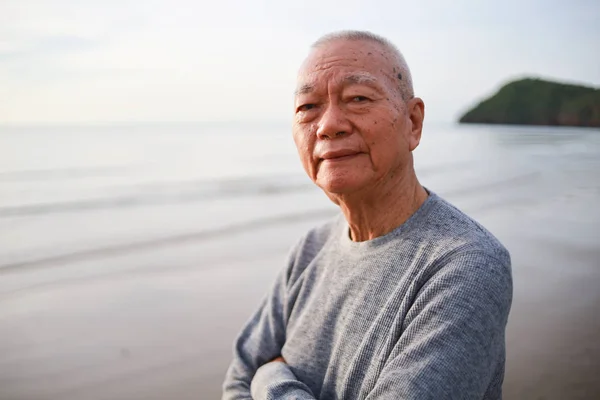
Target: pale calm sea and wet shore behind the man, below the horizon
pixel 130 256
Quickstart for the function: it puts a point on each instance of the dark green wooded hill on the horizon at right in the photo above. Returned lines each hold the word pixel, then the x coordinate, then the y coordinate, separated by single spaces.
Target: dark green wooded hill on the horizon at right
pixel 539 102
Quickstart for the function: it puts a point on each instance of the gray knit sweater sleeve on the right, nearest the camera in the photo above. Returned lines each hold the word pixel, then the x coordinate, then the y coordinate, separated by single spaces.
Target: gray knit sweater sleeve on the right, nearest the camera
pixel 452 340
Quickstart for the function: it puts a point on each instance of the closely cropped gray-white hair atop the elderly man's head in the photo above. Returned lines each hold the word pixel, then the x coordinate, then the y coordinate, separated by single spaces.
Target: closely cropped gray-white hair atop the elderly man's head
pixel 405 86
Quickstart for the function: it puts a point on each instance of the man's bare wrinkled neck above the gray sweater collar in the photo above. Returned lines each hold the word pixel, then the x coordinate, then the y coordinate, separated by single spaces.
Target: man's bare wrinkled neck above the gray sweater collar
pixel 384 209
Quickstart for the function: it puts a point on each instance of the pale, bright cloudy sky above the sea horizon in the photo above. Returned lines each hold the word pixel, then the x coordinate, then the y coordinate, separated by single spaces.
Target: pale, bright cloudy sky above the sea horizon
pixel 112 61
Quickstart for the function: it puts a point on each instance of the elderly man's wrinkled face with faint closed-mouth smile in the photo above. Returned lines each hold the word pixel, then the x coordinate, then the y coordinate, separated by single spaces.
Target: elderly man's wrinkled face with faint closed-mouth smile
pixel 351 127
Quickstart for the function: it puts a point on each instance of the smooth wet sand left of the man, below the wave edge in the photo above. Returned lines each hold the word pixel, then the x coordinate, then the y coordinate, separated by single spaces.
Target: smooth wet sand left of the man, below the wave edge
pixel 153 324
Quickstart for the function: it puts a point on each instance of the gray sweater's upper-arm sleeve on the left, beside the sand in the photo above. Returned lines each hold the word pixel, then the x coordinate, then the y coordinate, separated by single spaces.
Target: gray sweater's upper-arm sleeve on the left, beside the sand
pixel 261 339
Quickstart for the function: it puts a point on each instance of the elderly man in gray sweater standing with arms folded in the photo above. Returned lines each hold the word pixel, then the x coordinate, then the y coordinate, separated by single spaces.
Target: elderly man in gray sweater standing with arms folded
pixel 401 297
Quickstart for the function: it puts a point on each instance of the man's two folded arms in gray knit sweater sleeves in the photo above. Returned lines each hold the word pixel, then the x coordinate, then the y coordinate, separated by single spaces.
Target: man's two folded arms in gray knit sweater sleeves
pixel 452 340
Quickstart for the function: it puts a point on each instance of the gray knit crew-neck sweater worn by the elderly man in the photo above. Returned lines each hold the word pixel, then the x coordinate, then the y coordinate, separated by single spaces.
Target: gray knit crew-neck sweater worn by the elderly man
pixel 419 313
